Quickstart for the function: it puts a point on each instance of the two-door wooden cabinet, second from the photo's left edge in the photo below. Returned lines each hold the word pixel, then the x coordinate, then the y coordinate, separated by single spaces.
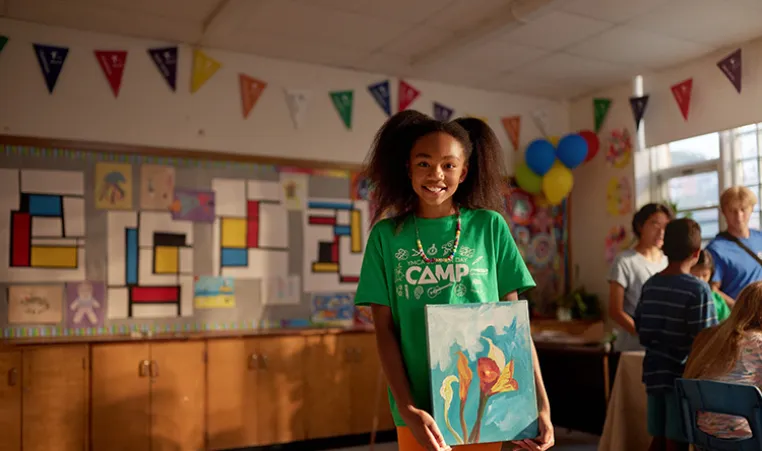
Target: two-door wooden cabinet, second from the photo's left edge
pixel 148 396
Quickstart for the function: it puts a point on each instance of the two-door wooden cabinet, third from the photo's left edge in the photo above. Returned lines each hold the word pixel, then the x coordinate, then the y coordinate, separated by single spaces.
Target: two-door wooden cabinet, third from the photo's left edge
pixel 255 391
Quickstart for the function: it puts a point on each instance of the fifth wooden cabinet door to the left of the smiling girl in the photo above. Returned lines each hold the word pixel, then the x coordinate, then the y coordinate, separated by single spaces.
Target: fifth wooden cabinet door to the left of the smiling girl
pixel 177 396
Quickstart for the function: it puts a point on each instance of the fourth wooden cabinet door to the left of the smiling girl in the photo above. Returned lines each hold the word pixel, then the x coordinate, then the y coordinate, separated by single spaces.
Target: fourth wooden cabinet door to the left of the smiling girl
pixel 232 405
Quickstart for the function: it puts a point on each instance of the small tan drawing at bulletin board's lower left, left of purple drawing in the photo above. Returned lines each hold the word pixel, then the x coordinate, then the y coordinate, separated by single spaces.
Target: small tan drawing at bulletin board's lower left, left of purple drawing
pixel 35 304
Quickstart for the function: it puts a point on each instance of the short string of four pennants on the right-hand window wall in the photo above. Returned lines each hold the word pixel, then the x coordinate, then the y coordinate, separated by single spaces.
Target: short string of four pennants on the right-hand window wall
pixel 731 66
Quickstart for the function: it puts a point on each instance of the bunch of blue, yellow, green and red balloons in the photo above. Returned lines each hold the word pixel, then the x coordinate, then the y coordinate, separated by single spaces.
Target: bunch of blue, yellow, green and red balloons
pixel 547 167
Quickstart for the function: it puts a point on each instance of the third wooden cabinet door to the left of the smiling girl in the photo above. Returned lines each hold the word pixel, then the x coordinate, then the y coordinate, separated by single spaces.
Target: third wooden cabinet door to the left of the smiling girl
pixel 281 379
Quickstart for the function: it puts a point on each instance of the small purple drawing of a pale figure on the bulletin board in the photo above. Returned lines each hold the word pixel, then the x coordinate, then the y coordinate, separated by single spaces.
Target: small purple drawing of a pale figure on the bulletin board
pixel 86 303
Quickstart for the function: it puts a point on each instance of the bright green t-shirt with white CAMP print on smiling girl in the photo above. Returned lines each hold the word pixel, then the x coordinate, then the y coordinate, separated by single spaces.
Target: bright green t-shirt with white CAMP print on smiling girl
pixel 486 267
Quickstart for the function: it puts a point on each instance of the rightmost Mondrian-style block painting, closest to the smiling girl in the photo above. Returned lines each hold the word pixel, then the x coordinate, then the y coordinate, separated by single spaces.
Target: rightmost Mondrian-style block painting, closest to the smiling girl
pixel 334 241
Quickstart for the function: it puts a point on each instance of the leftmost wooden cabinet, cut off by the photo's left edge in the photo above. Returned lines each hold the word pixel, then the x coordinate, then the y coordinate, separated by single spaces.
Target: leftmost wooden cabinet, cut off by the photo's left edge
pixel 43 398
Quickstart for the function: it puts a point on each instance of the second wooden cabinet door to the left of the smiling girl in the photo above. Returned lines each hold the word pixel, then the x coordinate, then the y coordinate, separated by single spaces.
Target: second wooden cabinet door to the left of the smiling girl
pixel 327 387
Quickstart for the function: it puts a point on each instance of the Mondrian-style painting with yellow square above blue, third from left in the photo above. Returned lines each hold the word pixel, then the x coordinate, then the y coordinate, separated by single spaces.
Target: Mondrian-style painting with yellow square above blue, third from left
pixel 250 229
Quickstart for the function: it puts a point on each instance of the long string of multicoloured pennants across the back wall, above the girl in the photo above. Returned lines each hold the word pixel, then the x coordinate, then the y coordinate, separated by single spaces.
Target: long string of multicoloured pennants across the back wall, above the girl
pixel 52 59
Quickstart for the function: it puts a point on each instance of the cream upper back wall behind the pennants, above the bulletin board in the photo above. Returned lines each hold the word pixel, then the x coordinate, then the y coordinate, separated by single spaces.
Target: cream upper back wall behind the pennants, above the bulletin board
pixel 148 113
